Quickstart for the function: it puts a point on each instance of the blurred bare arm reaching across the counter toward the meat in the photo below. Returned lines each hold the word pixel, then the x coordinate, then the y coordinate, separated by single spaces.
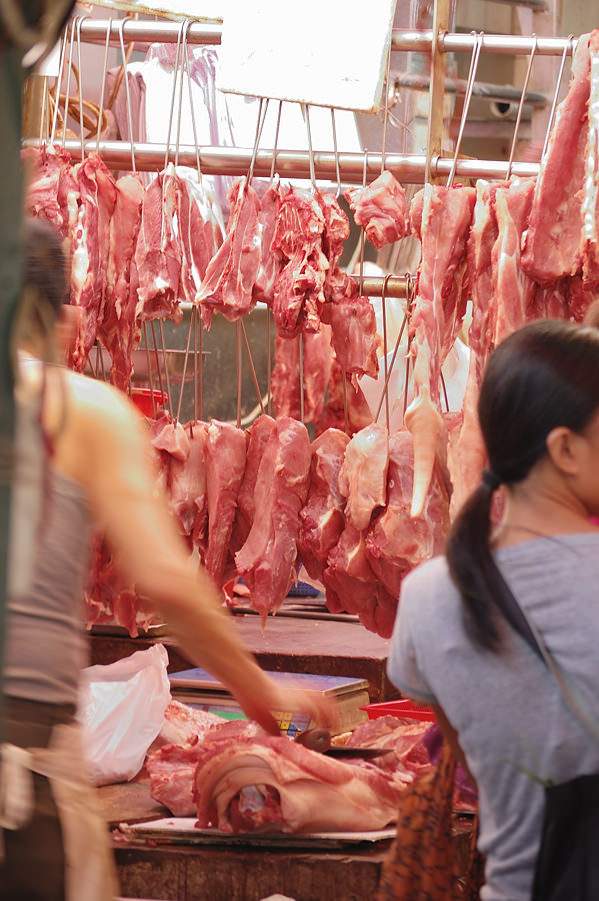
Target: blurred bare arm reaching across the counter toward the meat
pixel 117 473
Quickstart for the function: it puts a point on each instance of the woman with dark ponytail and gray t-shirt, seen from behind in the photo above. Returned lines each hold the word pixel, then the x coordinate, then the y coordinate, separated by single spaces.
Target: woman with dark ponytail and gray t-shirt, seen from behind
pixel 457 643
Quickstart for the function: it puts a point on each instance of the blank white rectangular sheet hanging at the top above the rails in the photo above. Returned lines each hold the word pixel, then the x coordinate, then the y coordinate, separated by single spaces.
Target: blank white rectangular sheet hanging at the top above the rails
pixel 329 53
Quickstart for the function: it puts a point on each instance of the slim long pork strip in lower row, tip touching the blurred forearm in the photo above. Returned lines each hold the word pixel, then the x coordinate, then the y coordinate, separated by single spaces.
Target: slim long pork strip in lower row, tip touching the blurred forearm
pixel 225 466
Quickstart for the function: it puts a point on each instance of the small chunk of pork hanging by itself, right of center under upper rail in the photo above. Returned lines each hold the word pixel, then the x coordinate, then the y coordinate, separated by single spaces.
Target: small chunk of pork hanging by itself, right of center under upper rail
pixel 381 209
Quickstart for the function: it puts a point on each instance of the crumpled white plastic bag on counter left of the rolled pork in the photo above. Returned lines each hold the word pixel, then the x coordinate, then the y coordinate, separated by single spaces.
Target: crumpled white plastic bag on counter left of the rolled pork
pixel 121 711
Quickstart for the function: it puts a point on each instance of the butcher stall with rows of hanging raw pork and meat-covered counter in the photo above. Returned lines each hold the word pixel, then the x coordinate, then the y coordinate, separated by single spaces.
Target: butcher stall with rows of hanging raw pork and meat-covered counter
pixel 296 254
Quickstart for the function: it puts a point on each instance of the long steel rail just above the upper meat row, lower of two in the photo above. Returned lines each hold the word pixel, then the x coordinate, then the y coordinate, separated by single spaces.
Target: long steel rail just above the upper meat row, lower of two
pixel 353 167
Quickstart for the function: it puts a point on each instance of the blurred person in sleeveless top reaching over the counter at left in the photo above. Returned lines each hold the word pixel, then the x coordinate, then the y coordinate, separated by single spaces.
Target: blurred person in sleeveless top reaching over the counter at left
pixel 82 459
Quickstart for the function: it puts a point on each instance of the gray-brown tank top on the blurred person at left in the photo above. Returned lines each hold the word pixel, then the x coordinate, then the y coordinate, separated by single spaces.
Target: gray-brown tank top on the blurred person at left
pixel 46 645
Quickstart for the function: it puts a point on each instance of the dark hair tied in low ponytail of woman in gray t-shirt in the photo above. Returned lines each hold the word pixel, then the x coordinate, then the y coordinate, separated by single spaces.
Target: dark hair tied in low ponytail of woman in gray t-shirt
pixel 543 376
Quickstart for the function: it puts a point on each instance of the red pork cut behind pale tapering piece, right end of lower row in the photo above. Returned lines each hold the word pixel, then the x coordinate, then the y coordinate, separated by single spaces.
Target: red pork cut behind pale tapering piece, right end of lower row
pixel 396 543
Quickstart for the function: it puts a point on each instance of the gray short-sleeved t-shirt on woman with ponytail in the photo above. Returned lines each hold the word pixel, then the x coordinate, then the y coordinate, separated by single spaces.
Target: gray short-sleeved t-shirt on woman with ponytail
pixel 513 725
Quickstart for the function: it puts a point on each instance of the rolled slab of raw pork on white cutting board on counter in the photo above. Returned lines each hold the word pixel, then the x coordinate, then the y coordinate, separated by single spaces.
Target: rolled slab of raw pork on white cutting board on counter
pixel 246 781
